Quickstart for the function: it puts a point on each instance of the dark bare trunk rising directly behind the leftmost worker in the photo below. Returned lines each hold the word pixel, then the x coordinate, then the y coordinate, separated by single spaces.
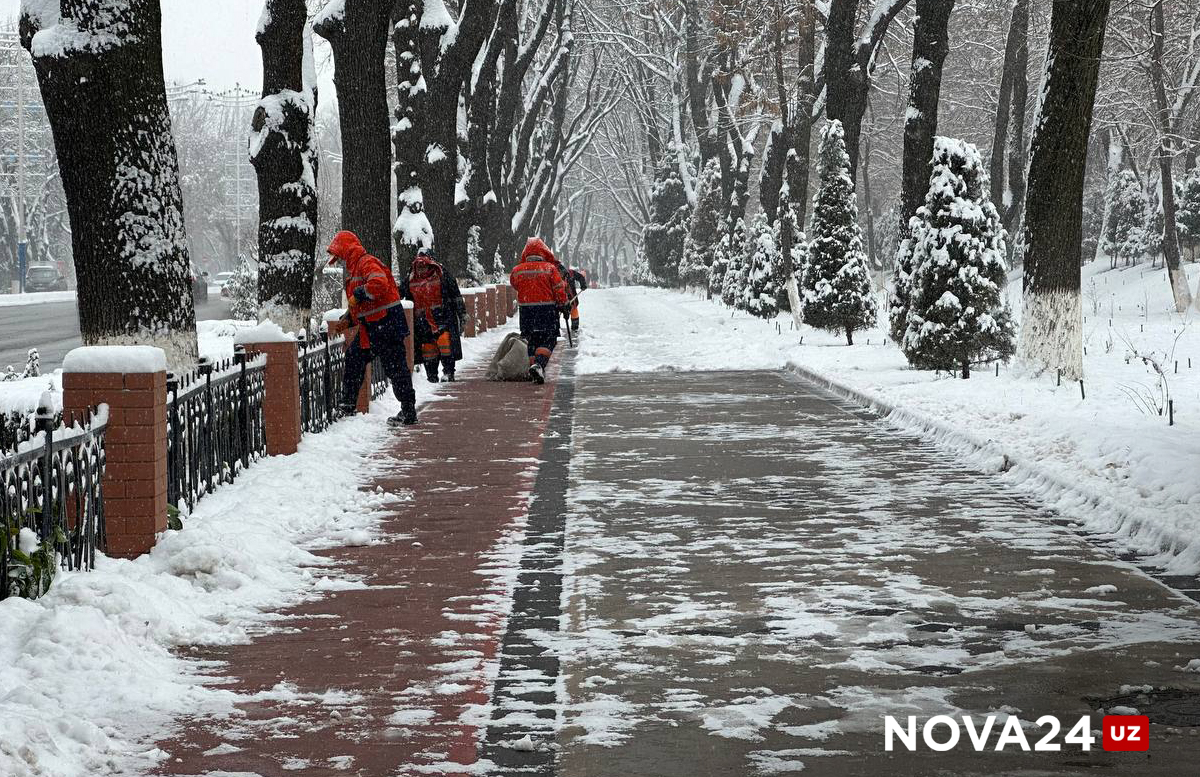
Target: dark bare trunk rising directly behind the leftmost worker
pixel 358 35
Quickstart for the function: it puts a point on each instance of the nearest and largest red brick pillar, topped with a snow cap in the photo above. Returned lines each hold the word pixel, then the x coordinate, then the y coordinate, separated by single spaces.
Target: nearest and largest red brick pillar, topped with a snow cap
pixel 135 485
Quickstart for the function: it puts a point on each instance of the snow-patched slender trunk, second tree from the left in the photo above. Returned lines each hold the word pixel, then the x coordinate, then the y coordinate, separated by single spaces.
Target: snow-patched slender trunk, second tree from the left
pixel 285 158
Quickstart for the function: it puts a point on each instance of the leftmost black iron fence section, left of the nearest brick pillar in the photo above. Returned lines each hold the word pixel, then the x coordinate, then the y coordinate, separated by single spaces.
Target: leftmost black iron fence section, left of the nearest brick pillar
pixel 51 475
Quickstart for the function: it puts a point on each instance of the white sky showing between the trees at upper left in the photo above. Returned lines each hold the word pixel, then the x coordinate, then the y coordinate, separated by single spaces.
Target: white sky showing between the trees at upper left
pixel 213 40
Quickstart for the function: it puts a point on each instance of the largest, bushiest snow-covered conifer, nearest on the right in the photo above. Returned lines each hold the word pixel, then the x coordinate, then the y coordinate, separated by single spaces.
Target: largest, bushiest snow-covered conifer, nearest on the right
pixel 957 310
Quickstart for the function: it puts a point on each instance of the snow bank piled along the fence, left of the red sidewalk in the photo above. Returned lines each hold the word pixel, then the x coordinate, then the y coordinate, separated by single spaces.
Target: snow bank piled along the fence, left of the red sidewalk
pixel 92 671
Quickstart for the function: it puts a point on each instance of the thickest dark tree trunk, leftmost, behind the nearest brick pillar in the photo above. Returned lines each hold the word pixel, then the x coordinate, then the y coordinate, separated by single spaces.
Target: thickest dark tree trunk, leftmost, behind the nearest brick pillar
pixel 107 106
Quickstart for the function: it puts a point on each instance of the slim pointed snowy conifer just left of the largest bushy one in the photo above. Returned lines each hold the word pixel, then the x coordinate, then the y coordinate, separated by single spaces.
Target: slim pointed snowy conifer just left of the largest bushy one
pixel 836 285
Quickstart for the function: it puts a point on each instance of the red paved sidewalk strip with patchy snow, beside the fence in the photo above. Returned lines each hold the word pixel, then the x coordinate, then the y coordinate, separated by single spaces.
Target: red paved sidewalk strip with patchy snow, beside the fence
pixel 422 639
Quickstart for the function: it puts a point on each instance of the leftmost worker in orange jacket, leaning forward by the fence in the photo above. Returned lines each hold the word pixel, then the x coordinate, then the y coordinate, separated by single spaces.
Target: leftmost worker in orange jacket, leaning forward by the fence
pixel 376 309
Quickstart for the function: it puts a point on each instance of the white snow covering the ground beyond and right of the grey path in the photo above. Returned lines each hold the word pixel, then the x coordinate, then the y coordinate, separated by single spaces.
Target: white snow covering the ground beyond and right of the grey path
pixel 1108 461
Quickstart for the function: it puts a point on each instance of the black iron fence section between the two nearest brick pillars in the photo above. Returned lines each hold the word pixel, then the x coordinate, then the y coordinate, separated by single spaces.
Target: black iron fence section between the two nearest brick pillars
pixel 214 425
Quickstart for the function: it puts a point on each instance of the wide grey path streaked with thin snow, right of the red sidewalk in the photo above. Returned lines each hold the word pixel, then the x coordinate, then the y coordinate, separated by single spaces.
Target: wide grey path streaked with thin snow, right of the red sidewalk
pixel 755 574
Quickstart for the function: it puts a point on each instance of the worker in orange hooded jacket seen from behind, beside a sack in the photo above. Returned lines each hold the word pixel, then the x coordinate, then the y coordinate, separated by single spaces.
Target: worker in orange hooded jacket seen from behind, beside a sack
pixel 542 296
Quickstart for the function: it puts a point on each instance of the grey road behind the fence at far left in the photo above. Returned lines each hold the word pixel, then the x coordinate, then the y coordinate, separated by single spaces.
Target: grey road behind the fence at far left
pixel 53 329
